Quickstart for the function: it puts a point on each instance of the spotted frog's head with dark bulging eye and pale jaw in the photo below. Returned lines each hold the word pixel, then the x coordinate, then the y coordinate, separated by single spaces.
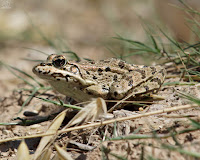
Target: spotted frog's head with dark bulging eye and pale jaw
pixel 57 68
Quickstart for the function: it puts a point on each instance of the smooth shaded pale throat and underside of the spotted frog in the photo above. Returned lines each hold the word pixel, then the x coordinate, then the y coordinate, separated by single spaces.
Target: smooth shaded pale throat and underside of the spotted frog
pixel 73 90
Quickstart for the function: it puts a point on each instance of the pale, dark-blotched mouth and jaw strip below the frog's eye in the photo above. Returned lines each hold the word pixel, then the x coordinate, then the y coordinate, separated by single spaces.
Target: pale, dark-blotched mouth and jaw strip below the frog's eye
pixel 54 74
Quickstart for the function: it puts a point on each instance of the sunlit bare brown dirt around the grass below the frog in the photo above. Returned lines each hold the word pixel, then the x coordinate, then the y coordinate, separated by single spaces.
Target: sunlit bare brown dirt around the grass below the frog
pixel 130 149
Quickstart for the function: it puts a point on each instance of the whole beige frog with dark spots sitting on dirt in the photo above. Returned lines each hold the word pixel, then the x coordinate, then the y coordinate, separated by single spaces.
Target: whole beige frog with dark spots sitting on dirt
pixel 110 79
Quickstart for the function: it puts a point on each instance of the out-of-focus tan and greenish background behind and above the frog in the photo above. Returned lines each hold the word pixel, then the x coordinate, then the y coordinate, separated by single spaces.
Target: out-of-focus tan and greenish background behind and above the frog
pixel 85 27
